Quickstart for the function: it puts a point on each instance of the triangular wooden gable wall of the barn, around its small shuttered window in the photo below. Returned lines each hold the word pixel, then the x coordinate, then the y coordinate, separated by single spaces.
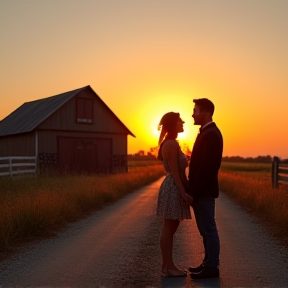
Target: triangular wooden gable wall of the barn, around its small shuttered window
pixel 65 117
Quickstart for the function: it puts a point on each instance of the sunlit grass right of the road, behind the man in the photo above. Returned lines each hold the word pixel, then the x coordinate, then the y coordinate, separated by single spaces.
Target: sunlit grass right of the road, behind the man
pixel 249 184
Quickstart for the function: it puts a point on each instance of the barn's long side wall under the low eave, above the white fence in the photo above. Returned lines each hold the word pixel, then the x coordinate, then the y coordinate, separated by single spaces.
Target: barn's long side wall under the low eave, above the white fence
pixel 18 145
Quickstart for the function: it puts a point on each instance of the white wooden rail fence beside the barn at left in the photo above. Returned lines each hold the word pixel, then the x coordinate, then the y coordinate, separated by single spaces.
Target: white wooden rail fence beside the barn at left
pixel 15 165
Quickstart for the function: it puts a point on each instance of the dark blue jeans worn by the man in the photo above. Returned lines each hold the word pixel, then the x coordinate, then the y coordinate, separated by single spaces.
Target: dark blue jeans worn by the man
pixel 204 211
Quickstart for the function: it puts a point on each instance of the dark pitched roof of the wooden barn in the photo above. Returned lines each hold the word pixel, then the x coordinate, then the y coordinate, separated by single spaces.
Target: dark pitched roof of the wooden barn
pixel 29 115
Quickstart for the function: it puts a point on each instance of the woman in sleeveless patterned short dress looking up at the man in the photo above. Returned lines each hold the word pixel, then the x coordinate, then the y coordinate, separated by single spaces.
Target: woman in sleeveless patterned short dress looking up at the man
pixel 173 202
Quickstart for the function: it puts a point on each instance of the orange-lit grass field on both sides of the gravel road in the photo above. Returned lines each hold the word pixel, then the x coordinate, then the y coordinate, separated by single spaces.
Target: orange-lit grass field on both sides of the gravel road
pixel 32 207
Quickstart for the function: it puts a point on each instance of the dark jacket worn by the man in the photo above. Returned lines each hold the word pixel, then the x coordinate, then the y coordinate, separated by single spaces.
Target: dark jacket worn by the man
pixel 205 162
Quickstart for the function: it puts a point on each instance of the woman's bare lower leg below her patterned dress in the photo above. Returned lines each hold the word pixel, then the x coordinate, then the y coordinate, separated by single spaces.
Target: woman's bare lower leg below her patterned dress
pixel 166 243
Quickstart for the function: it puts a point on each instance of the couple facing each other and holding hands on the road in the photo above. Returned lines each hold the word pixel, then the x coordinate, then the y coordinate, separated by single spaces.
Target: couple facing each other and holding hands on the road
pixel 177 193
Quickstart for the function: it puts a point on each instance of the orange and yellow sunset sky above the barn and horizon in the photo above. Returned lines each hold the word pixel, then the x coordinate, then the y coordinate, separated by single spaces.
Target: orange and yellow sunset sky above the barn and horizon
pixel 146 58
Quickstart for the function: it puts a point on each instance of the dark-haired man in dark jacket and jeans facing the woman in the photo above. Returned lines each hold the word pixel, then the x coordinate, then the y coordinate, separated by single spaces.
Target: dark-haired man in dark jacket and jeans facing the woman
pixel 203 186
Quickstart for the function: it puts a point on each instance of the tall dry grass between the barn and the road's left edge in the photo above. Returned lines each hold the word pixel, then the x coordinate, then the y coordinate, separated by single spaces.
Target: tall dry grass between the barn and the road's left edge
pixel 34 207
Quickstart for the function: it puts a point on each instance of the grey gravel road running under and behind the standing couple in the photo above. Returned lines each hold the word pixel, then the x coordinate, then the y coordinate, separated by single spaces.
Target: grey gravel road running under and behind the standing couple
pixel 118 247
